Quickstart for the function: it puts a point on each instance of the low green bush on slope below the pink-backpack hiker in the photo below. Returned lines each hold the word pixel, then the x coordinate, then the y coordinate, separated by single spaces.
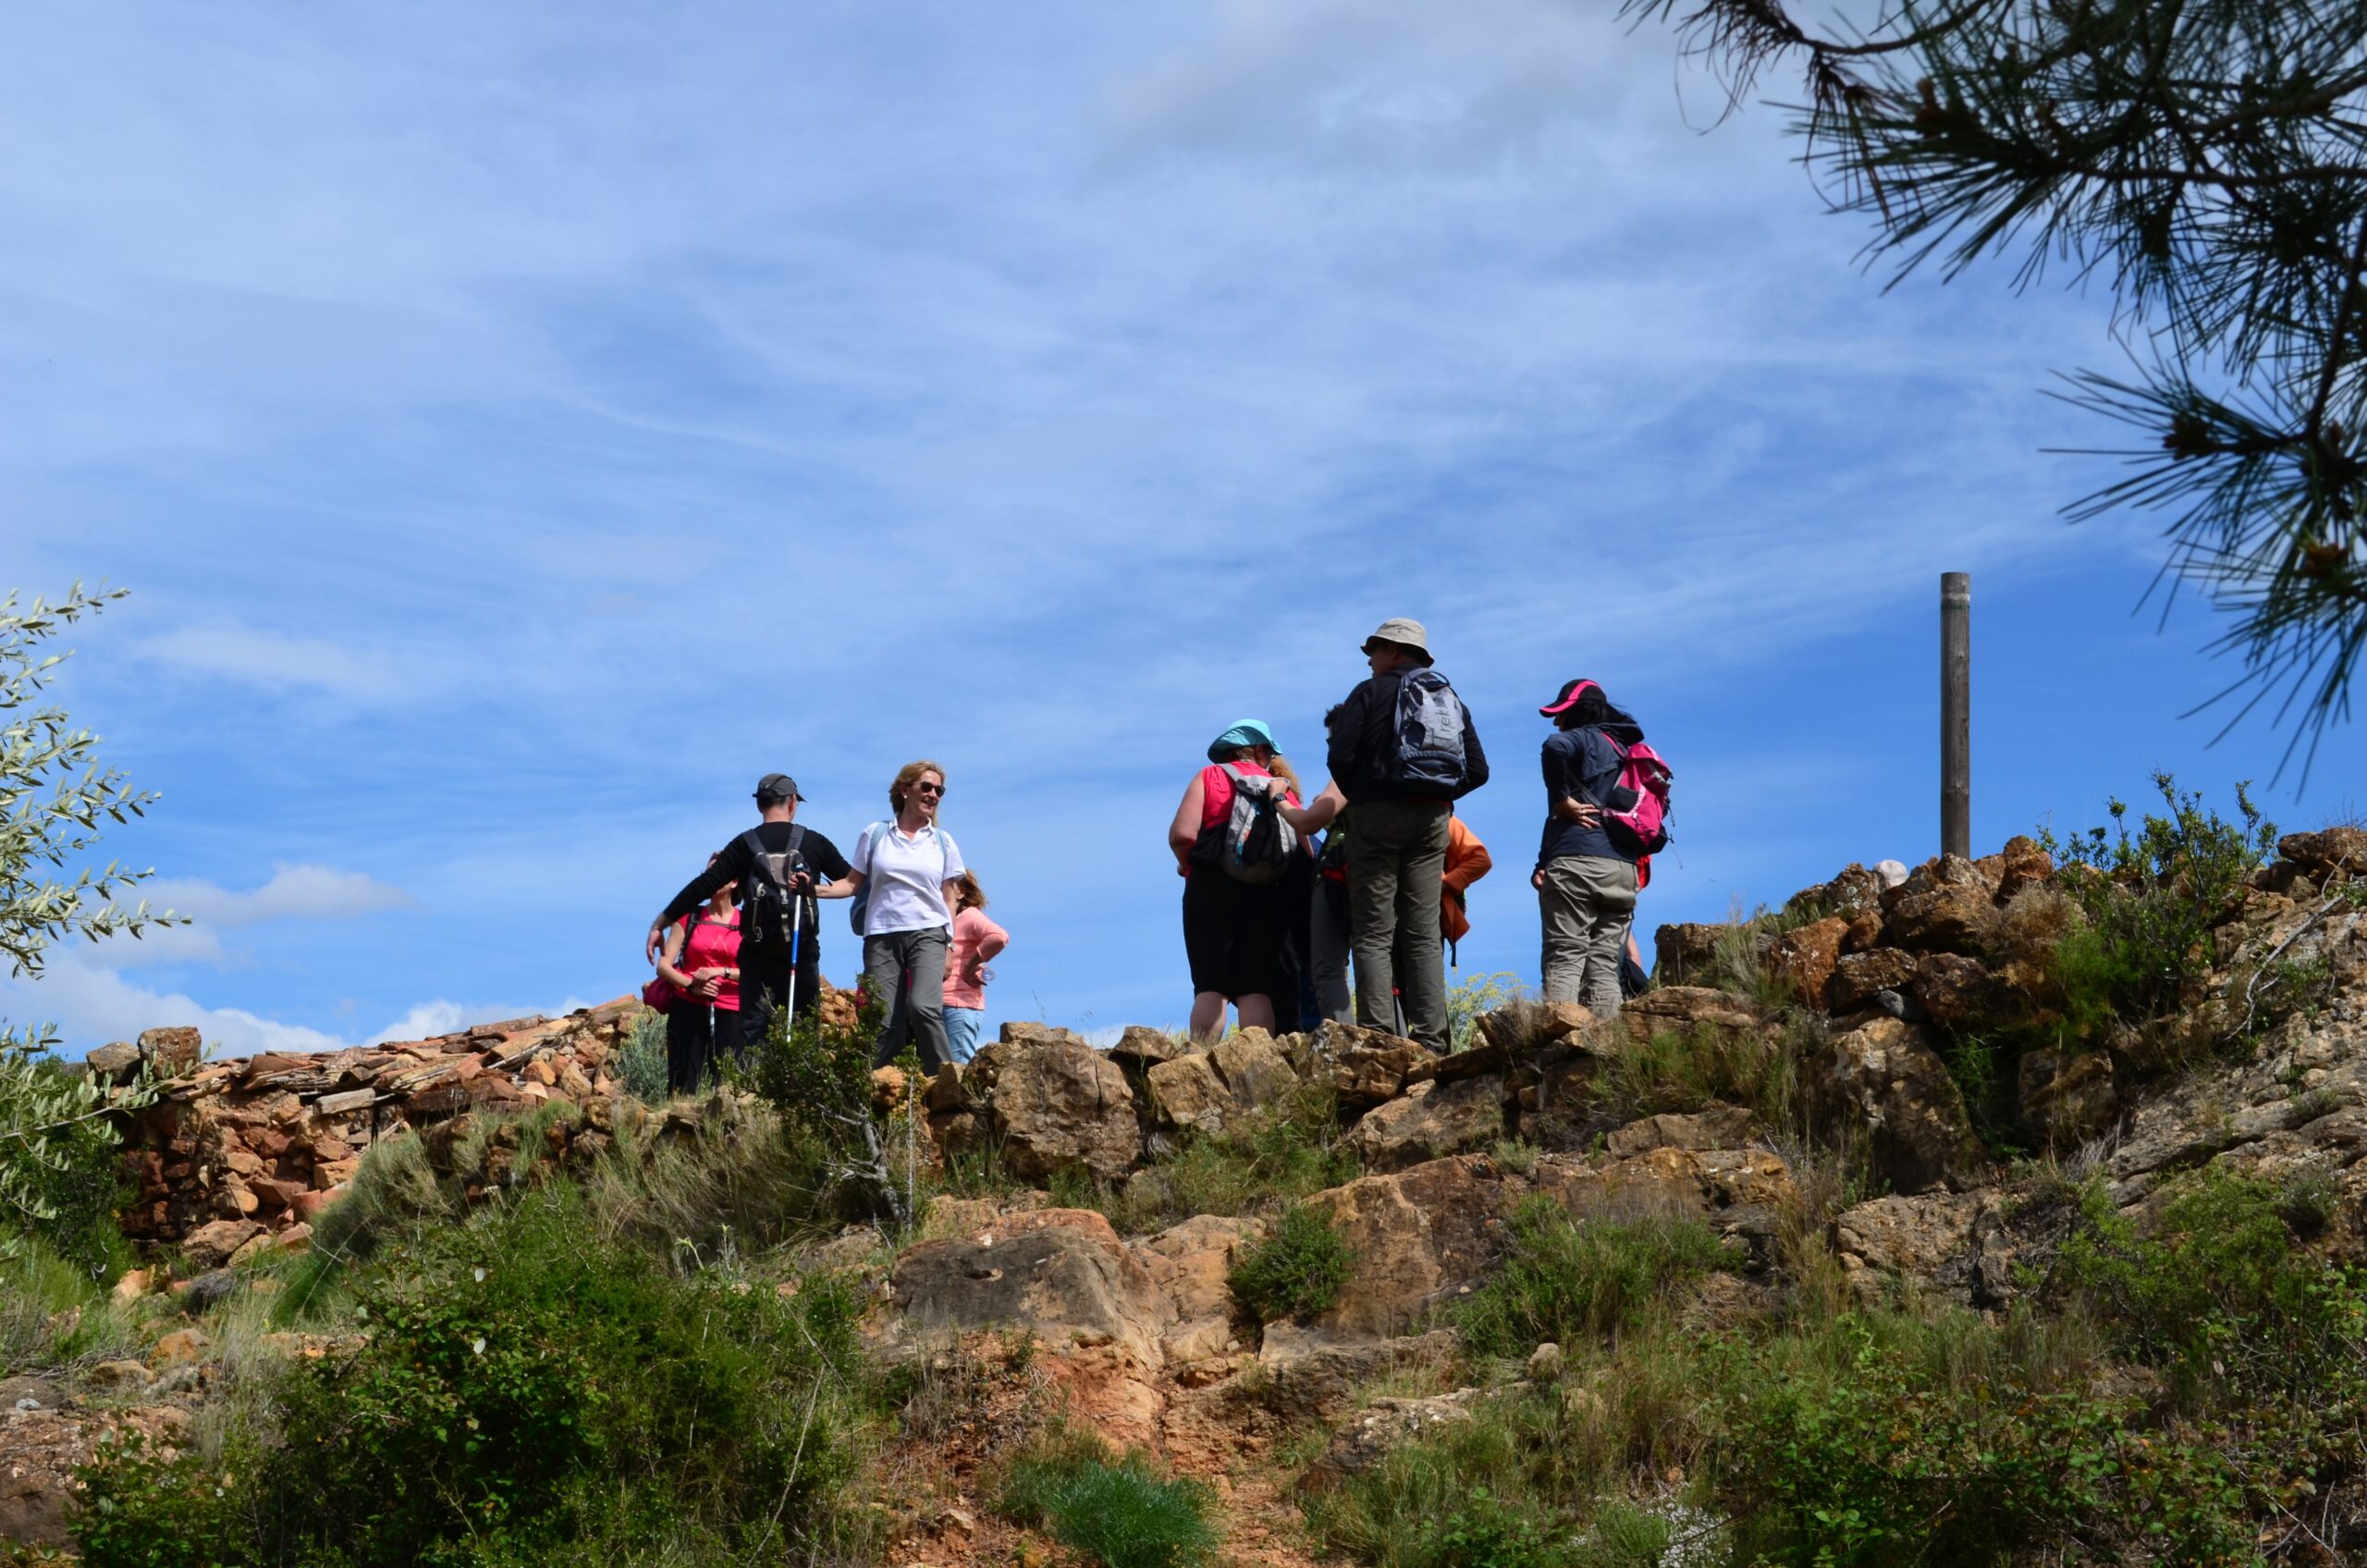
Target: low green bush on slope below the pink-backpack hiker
pixel 1566 1280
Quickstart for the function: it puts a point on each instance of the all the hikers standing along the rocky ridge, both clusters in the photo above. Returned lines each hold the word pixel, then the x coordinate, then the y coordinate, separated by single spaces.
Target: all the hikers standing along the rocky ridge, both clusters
pixel 1275 918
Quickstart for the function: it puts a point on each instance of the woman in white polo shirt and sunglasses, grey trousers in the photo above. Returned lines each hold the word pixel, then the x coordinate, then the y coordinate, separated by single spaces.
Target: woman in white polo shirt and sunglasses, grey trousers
pixel 910 868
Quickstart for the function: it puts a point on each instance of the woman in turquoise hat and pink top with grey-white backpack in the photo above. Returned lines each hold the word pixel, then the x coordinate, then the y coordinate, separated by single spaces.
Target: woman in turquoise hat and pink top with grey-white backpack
pixel 1234 854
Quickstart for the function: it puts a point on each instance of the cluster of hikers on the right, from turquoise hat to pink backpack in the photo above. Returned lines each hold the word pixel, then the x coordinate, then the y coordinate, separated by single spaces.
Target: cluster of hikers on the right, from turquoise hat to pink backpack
pixel 1272 920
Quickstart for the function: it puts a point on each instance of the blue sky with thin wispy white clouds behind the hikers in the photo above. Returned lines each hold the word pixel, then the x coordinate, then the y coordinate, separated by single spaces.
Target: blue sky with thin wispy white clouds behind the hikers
pixel 522 428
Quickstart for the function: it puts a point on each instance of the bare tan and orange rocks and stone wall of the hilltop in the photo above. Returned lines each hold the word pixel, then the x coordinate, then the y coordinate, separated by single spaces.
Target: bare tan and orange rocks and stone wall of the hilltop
pixel 1892 1079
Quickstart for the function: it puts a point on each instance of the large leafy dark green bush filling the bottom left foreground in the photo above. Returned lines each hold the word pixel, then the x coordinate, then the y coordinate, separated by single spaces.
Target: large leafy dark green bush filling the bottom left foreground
pixel 531 1392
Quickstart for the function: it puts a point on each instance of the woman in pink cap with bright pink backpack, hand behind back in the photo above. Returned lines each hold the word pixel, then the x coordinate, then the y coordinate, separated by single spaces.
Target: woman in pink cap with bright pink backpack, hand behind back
pixel 1606 807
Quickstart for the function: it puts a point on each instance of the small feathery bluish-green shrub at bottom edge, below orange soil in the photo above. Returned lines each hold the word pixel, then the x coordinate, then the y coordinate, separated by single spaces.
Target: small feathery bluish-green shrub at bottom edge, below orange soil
pixel 1116 1512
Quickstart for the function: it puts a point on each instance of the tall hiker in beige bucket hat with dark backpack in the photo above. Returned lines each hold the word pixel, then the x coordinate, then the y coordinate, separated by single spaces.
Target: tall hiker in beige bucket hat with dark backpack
pixel 1402 752
